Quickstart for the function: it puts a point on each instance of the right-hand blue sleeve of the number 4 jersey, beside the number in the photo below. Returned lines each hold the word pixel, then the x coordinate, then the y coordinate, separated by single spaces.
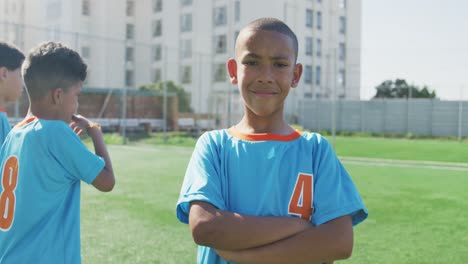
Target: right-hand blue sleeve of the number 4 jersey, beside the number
pixel 335 194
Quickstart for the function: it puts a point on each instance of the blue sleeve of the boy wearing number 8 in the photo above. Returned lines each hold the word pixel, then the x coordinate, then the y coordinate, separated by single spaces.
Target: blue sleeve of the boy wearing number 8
pixel 75 158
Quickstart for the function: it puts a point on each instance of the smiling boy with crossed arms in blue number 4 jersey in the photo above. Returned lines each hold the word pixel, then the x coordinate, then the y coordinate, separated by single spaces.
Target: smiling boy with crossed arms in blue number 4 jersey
pixel 260 191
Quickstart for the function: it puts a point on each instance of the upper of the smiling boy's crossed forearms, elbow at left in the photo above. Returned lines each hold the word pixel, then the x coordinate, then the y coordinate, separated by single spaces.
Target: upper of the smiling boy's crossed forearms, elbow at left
pixel 231 231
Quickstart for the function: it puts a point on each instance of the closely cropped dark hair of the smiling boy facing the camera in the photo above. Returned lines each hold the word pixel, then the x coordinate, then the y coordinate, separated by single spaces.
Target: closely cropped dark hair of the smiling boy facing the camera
pixel 276 25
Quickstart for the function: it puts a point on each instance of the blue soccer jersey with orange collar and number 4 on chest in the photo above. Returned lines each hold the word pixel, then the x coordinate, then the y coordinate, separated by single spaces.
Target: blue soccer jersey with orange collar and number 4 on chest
pixel 296 175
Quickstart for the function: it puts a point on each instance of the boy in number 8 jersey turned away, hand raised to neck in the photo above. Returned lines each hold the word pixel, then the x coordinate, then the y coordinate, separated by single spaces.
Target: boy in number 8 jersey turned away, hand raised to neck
pixel 43 162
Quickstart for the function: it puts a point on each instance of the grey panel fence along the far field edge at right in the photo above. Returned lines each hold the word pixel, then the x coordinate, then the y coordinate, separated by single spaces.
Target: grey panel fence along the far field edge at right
pixel 389 116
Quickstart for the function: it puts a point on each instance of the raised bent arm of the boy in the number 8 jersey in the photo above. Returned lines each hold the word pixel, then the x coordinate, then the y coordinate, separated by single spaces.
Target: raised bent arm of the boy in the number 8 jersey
pixel 105 180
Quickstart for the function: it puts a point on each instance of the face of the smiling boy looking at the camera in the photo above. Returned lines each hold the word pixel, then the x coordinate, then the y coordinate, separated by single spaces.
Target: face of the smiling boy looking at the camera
pixel 265 70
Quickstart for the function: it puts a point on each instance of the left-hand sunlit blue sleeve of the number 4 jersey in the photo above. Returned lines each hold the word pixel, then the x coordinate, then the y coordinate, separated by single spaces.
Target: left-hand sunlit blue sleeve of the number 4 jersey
pixel 202 178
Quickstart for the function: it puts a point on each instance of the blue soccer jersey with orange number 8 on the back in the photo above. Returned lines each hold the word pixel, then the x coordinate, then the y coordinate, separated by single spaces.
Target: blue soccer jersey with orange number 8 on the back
pixel 43 163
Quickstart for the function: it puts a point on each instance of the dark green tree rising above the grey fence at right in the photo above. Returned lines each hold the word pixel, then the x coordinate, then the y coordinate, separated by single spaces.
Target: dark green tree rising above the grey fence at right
pixel 400 89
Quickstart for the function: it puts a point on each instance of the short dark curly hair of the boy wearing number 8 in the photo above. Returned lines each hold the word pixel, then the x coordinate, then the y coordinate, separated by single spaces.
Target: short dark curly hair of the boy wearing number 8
pixel 52 65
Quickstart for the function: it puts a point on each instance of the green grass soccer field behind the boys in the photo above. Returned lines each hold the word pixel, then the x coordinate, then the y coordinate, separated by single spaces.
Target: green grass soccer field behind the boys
pixel 417 215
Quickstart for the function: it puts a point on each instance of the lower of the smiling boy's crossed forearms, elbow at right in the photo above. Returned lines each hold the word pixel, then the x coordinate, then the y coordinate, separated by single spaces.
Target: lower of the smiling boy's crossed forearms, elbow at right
pixel 332 240
